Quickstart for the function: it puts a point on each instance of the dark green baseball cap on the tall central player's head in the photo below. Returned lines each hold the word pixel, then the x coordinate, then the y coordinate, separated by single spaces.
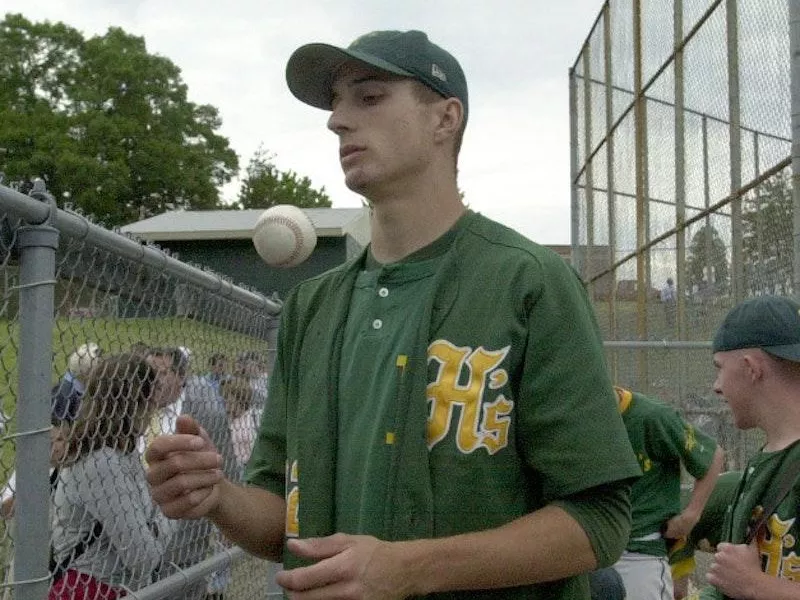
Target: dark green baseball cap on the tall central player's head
pixel 311 68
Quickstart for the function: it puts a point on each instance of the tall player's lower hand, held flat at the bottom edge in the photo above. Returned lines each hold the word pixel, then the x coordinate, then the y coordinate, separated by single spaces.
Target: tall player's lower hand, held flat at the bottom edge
pixel 350 566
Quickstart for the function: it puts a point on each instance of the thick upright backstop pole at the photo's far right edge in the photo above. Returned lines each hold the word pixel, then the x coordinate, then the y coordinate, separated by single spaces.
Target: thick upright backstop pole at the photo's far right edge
pixel 794 47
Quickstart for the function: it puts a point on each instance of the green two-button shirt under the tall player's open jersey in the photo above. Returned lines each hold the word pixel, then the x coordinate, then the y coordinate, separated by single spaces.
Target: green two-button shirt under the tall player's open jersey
pixel 381 326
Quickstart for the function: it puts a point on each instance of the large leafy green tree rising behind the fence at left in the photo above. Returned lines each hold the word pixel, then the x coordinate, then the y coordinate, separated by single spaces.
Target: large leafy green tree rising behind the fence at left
pixel 105 123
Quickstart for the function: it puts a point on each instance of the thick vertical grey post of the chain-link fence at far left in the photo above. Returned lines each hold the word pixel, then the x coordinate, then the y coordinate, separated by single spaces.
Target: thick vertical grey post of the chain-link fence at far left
pixel 37 246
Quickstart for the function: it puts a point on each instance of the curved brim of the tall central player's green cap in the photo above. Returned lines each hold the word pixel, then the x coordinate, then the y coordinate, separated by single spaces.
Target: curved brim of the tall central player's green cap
pixel 311 69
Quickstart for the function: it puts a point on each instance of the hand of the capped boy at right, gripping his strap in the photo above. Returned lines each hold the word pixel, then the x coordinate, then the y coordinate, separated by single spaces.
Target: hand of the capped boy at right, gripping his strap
pixel 736 570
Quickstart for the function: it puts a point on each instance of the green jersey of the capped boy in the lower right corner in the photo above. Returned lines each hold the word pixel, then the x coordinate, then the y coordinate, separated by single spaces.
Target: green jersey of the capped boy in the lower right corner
pixel 779 541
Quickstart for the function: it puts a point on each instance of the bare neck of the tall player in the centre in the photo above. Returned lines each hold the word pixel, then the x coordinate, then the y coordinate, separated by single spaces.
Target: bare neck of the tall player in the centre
pixel 406 222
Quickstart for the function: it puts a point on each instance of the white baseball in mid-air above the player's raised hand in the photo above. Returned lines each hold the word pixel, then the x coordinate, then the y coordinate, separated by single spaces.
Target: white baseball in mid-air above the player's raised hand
pixel 284 236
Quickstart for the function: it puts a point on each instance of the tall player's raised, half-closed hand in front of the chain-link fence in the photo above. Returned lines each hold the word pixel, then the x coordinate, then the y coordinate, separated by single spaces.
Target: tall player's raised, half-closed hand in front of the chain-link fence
pixel 184 471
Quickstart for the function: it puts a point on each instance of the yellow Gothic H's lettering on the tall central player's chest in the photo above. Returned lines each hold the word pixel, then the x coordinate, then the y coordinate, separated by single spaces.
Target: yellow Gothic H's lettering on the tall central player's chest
pixel 462 379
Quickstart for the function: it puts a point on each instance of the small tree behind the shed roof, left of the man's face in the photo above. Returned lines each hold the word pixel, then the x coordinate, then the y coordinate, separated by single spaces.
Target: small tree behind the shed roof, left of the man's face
pixel 264 185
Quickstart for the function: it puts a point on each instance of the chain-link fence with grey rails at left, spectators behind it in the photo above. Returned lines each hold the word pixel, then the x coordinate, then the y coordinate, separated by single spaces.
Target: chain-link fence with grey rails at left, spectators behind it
pixel 103 342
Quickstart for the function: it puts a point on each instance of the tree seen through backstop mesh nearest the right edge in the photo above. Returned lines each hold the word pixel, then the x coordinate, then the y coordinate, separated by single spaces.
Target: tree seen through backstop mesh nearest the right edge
pixel 767 241
